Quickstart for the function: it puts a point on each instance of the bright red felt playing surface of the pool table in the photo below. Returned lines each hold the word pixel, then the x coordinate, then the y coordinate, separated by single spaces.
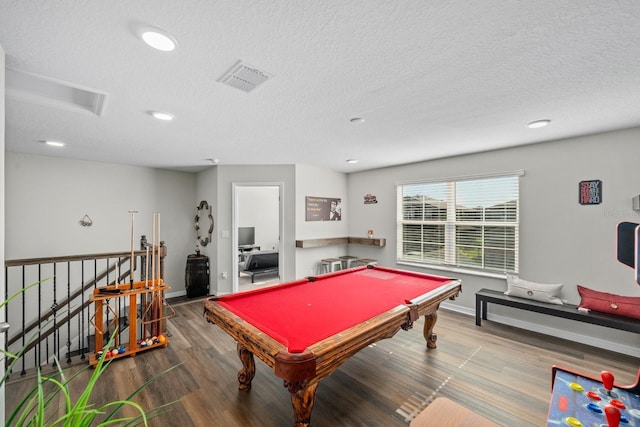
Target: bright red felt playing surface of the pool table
pixel 301 313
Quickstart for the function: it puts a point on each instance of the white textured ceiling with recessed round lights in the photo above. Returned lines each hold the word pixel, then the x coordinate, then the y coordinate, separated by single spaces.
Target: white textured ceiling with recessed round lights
pixel 431 78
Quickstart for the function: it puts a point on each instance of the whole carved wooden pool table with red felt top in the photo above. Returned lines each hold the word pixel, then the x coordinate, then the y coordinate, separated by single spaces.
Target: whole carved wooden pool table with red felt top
pixel 304 330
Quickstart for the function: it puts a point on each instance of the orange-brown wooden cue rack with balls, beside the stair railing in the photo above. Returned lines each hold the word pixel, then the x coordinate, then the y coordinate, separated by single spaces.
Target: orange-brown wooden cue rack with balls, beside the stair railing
pixel 151 301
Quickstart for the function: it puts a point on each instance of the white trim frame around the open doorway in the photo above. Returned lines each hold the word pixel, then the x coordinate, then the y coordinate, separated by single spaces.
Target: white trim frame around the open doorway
pixel 234 225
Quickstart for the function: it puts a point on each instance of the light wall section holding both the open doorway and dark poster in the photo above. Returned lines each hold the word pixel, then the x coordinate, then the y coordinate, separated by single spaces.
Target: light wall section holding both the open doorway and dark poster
pixel 299 181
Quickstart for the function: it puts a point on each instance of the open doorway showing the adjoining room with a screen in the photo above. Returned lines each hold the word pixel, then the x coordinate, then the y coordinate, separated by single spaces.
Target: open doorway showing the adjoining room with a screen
pixel 257 224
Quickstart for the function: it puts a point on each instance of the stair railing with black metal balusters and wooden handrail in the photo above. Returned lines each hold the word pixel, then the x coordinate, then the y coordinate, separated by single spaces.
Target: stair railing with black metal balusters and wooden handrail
pixel 55 311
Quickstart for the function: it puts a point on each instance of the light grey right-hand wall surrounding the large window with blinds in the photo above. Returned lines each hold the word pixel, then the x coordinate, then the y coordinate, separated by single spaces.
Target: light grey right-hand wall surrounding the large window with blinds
pixel 561 241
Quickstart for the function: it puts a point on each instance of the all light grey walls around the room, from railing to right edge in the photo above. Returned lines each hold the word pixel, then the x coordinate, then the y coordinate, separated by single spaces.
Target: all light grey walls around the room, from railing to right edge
pixel 560 240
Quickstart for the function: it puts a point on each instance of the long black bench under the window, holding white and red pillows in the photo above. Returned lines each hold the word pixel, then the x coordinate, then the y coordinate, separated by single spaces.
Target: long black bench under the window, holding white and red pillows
pixel 566 311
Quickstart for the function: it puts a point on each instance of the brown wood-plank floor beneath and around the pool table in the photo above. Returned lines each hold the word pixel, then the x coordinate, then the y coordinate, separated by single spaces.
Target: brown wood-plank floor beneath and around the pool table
pixel 497 371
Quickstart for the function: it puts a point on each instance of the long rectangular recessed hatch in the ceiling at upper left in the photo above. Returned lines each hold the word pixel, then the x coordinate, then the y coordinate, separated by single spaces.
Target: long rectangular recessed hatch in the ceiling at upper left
pixel 42 90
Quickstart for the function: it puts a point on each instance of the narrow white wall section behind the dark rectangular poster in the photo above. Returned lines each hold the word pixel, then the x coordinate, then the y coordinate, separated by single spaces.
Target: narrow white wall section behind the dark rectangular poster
pixel 314 181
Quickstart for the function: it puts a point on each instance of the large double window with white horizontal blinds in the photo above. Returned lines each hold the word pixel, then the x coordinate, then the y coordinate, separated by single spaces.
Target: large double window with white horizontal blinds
pixel 467 222
